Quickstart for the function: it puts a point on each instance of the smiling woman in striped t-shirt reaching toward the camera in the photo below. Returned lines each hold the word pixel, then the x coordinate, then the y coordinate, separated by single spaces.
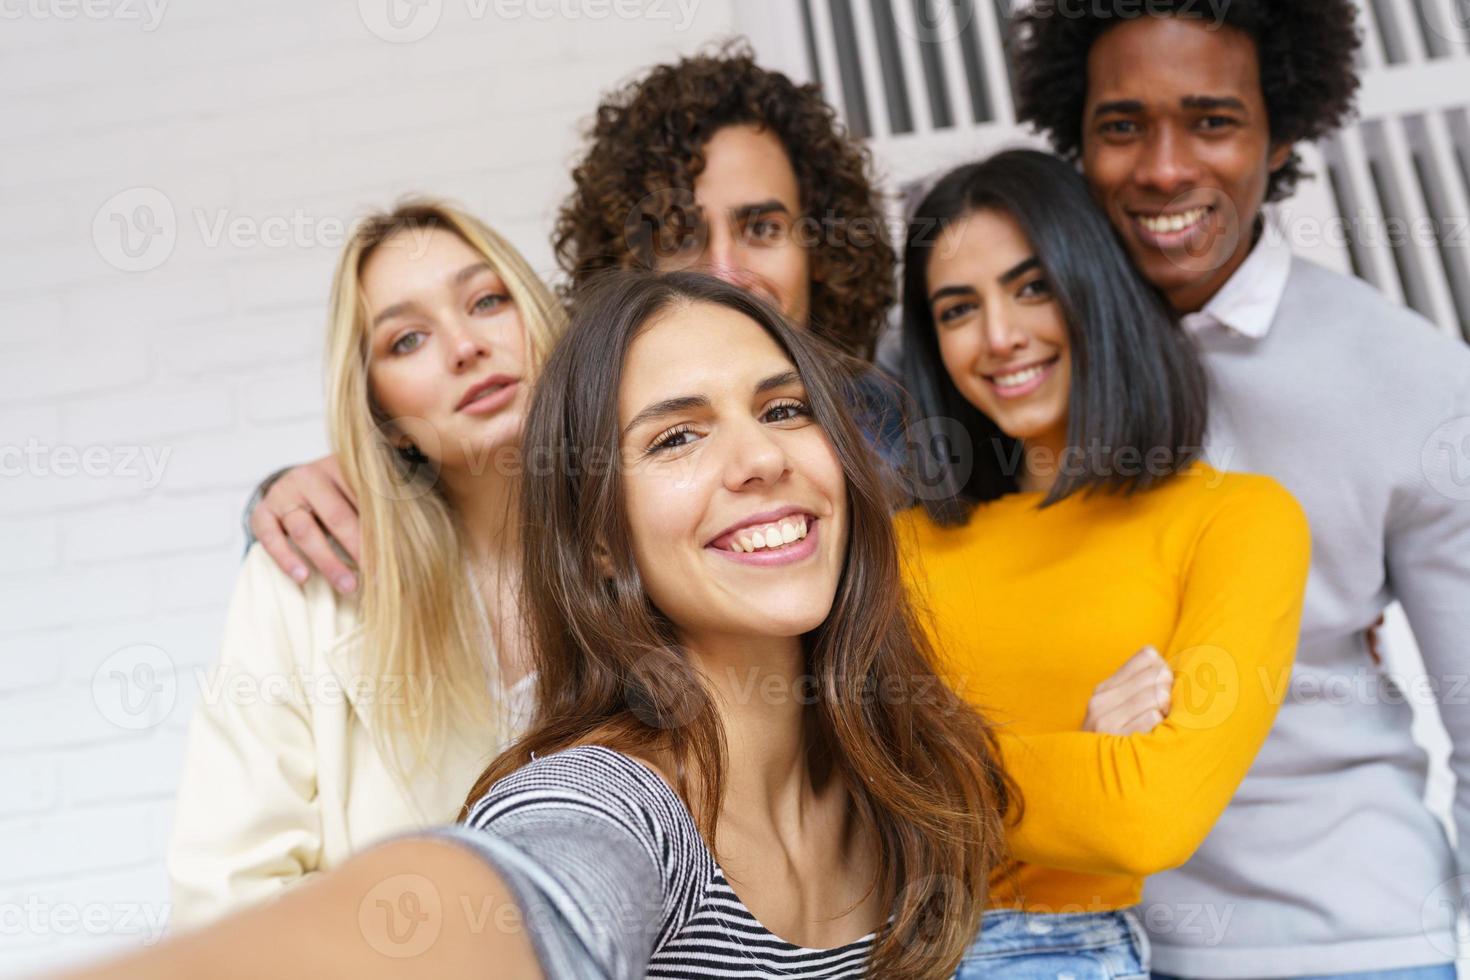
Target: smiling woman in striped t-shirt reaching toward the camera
pixel 742 760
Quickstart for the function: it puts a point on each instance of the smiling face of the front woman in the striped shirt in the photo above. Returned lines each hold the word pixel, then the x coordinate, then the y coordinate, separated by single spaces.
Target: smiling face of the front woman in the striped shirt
pixel 736 497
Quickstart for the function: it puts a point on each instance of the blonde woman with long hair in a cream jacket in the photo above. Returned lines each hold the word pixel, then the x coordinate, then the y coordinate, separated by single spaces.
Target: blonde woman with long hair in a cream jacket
pixel 333 721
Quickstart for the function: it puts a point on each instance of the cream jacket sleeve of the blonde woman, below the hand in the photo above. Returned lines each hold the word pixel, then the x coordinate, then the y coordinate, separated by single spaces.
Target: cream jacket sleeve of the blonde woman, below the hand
pixel 246 824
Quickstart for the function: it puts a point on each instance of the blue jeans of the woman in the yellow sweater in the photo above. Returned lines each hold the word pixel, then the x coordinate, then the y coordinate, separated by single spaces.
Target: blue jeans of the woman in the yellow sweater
pixel 1040 947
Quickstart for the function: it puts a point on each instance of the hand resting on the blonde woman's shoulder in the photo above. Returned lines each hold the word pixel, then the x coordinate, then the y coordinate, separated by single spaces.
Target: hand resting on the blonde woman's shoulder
pixel 298 514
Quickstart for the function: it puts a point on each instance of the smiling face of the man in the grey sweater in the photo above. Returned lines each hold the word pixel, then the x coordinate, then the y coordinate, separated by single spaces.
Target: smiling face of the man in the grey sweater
pixel 1177 148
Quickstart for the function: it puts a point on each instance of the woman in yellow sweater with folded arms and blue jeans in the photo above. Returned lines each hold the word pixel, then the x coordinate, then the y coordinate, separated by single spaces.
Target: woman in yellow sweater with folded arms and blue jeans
pixel 1068 522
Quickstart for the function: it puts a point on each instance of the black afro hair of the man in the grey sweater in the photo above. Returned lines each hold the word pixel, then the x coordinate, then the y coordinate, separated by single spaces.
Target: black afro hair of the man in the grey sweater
pixel 1306 51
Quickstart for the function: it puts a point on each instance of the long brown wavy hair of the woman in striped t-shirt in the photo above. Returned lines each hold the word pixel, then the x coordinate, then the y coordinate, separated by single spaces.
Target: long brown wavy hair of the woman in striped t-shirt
pixel 922 769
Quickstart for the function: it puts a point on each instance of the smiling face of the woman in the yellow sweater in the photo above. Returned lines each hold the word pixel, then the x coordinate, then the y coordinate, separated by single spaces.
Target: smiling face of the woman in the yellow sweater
pixel 1002 334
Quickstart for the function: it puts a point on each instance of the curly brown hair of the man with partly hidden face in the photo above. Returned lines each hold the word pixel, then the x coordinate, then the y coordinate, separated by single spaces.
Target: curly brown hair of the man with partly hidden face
pixel 649 139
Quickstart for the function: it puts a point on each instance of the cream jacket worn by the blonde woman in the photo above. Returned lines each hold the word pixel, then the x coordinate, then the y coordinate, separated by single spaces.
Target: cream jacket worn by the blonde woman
pixel 282 775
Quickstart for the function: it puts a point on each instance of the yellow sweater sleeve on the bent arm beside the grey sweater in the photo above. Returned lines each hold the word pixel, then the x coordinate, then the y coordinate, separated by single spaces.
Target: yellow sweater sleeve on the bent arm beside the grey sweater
pixel 1141 804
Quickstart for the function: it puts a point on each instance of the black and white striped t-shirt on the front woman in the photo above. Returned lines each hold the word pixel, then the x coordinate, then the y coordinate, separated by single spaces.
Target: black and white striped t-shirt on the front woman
pixel 615 881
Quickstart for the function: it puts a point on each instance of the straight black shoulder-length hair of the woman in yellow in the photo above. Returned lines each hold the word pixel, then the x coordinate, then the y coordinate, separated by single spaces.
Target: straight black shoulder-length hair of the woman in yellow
pixel 1139 405
